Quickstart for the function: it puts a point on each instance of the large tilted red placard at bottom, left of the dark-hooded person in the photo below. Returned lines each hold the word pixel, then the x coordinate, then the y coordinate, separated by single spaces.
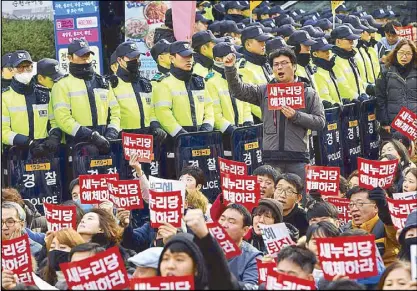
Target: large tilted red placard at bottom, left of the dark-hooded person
pixel 104 271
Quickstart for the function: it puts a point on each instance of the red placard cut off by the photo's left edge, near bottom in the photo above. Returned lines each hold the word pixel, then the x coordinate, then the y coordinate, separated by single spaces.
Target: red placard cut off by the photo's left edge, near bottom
pixel 16 257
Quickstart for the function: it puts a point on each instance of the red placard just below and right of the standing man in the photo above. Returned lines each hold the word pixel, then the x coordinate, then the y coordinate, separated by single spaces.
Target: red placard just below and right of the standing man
pixel 324 179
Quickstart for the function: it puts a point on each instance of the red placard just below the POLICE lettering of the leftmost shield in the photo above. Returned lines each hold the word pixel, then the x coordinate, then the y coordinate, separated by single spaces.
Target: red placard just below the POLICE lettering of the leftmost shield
pixel 60 216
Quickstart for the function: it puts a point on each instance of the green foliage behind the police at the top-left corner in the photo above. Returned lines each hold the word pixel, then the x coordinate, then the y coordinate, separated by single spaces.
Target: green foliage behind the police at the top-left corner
pixel 34 36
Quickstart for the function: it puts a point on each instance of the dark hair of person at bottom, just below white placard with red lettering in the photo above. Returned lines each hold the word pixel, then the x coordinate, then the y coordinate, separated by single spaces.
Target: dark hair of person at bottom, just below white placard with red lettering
pixel 300 256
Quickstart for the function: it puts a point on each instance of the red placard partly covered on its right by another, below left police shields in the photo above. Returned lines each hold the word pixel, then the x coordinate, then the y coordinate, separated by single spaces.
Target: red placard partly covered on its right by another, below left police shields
pixel 94 188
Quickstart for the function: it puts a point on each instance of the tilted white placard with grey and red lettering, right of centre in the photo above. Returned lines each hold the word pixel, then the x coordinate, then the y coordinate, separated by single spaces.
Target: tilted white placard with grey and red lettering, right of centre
pixel 275 236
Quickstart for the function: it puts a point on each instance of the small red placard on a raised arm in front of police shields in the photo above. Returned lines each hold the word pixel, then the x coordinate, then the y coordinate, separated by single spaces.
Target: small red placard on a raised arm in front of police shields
pixel 140 144
